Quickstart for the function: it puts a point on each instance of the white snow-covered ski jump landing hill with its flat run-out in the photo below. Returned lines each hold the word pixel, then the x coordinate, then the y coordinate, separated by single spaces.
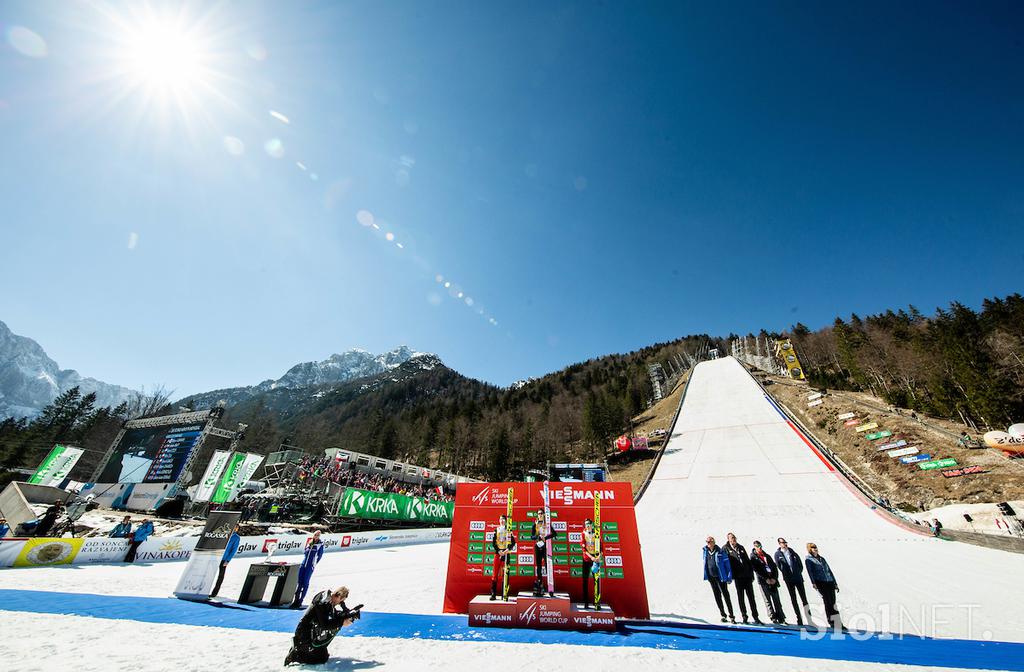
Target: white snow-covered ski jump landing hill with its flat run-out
pixel 735 464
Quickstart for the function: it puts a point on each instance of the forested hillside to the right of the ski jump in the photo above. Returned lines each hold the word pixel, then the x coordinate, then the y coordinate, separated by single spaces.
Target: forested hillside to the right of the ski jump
pixel 958 364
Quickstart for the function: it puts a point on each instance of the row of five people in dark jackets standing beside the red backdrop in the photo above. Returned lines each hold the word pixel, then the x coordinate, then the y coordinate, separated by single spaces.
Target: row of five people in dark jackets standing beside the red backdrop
pixel 732 564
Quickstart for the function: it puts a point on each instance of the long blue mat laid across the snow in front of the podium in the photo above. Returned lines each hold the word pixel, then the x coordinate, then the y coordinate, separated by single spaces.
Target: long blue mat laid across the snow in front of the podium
pixel 666 636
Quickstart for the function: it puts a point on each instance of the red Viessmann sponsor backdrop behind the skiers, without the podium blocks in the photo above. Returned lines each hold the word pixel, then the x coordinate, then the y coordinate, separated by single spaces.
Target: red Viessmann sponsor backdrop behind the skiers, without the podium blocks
pixel 477 511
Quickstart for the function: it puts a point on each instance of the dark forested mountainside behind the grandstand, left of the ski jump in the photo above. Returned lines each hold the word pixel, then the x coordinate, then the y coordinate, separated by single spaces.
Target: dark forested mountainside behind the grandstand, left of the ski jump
pixel 439 417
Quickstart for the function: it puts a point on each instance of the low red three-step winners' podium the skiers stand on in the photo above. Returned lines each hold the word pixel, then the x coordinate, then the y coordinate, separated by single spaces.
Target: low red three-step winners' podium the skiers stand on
pixel 527 611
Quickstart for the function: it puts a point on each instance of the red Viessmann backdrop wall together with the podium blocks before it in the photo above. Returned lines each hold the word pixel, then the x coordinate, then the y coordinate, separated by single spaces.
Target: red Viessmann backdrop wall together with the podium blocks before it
pixel 624 593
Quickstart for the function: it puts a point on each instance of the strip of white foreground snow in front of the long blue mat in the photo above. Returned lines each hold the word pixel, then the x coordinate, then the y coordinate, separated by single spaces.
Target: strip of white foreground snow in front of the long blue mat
pixel 44 644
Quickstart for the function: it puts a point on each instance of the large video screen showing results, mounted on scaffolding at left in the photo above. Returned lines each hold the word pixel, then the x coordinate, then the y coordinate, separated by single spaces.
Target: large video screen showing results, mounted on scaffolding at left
pixel 152 455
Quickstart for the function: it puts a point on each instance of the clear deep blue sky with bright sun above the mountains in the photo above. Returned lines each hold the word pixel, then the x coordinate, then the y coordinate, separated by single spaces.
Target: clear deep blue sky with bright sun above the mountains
pixel 594 177
